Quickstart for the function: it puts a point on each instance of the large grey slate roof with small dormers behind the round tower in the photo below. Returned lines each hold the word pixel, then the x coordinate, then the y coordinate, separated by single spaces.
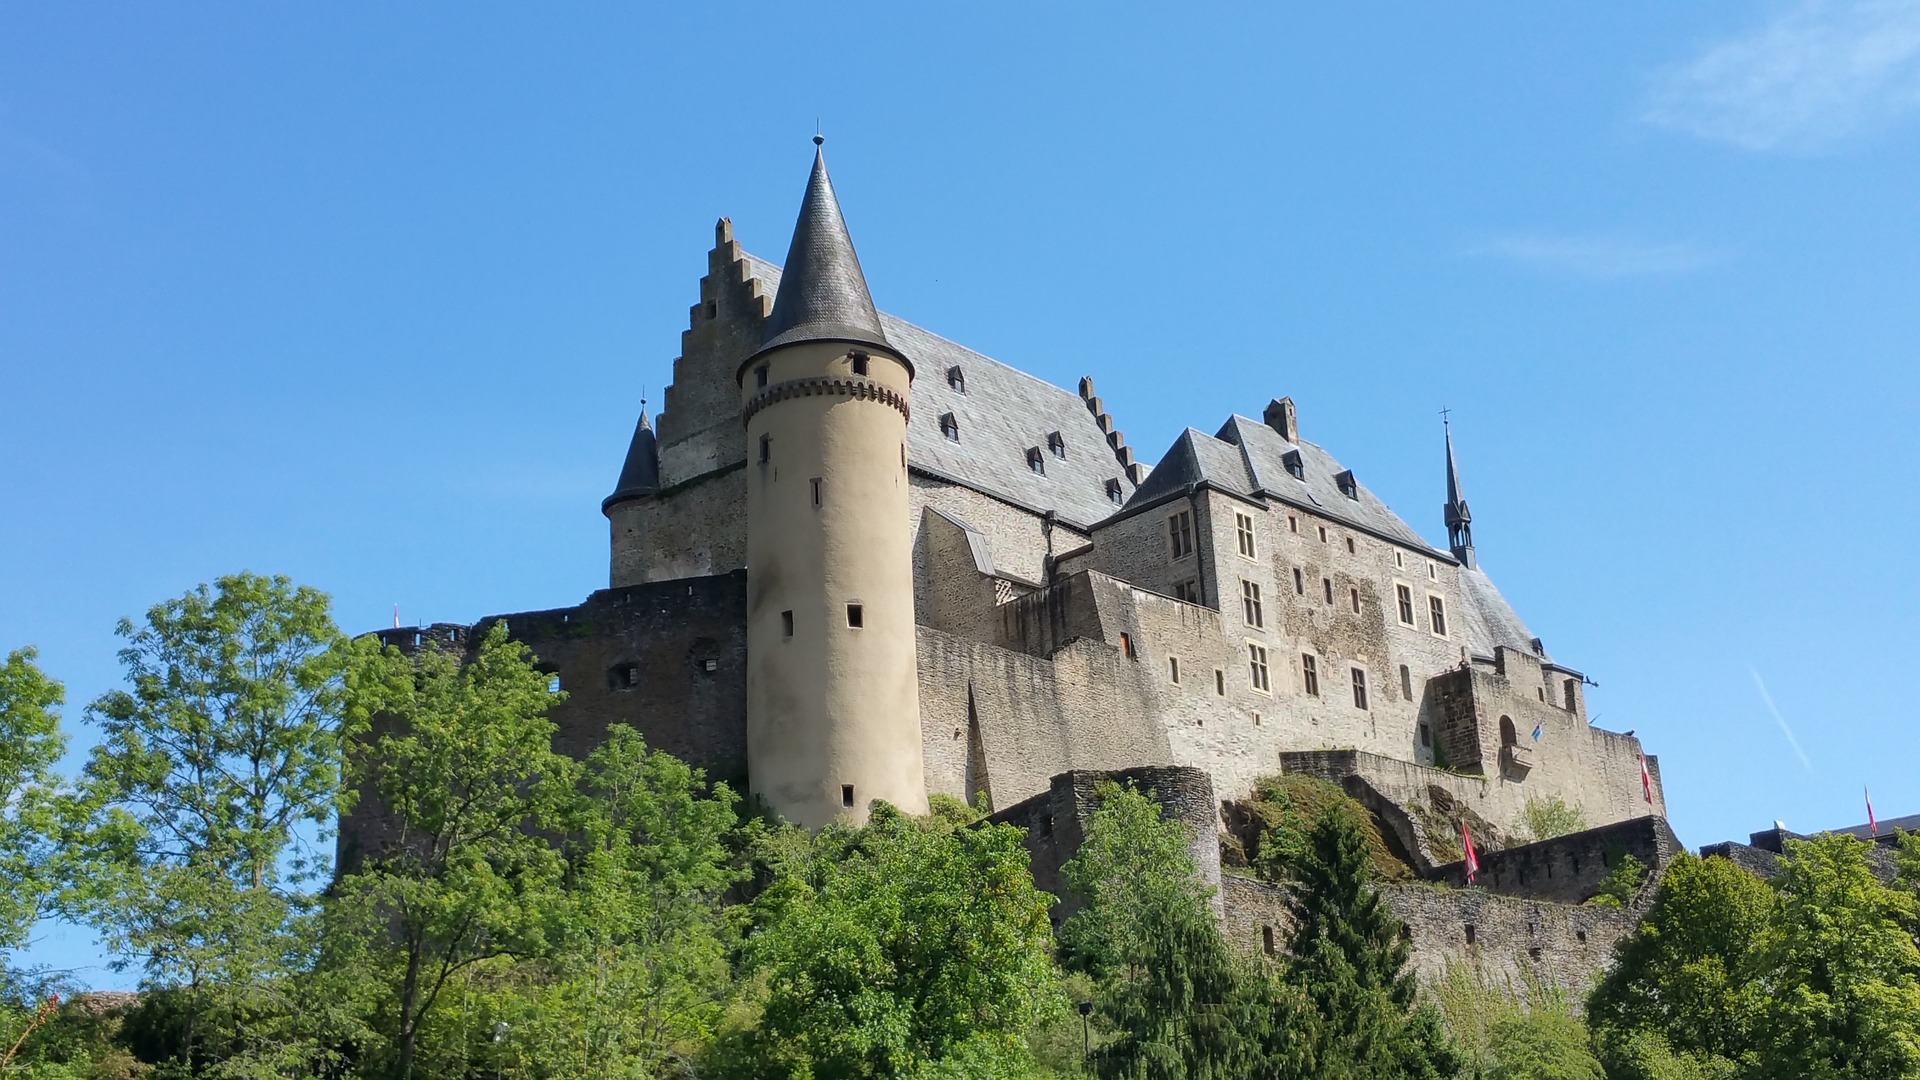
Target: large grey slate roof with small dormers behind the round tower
pixel 1003 414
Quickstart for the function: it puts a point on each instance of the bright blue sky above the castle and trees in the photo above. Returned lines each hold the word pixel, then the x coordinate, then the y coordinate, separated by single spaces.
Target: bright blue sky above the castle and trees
pixel 368 295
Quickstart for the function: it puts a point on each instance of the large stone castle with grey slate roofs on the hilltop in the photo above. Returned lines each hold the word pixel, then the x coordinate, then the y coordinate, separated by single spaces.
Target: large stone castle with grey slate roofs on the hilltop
pixel 857 562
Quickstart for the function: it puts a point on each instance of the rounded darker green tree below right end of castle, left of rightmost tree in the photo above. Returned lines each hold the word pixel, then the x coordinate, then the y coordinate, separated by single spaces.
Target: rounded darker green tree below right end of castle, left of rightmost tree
pixel 1691 971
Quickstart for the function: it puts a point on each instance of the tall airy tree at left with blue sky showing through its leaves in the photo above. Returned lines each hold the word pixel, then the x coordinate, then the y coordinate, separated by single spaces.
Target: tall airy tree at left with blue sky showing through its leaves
pixel 216 758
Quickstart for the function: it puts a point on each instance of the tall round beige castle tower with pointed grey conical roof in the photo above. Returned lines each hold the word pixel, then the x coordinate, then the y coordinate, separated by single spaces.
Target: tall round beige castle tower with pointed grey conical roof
pixel 832 687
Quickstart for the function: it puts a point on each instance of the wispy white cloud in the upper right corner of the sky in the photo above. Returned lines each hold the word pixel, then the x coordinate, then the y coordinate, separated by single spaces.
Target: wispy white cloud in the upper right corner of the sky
pixel 1819 74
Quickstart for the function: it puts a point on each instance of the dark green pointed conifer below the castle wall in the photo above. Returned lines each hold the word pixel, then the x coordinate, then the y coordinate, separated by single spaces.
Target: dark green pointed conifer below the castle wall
pixel 1351 960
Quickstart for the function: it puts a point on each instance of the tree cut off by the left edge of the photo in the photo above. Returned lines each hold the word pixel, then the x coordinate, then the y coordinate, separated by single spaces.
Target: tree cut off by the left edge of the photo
pixel 36 806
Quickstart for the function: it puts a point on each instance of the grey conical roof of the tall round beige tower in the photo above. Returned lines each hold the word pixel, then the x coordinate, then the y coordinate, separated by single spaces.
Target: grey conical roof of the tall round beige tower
pixel 823 293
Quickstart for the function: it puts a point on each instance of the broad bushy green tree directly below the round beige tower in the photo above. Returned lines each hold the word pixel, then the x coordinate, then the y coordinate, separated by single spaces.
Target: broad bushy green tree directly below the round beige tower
pixel 901 950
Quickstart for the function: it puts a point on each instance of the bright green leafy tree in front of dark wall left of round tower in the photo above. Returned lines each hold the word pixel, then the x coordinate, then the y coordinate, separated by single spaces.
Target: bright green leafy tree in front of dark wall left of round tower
pixel 466 772
